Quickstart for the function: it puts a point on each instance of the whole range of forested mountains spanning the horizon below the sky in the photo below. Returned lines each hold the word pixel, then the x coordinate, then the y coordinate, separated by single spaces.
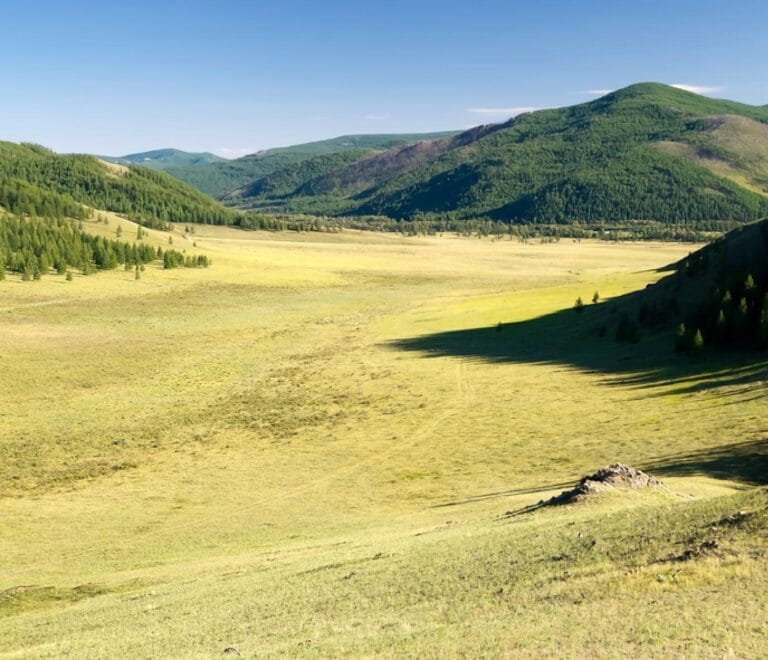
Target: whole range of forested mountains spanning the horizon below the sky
pixel 646 152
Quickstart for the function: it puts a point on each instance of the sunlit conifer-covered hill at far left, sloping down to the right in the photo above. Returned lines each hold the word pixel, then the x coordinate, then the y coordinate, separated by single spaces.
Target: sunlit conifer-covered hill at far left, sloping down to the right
pixel 35 181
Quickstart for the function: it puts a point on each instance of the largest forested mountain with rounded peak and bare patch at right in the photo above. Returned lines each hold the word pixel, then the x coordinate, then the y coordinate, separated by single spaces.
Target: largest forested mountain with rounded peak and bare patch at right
pixel 646 152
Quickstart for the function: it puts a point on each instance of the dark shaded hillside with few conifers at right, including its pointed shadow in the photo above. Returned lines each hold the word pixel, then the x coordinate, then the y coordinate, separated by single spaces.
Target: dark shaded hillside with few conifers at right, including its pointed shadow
pixel 718 293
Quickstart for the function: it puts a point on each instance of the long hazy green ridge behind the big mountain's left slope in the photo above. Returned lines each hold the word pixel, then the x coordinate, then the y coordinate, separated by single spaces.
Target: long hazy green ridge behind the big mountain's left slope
pixel 220 179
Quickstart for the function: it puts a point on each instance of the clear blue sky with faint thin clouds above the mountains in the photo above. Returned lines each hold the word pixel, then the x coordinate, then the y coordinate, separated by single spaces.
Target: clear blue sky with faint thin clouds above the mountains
pixel 234 77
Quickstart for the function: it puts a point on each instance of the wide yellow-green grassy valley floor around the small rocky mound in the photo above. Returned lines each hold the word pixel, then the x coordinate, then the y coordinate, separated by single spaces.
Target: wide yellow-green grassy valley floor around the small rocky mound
pixel 283 454
